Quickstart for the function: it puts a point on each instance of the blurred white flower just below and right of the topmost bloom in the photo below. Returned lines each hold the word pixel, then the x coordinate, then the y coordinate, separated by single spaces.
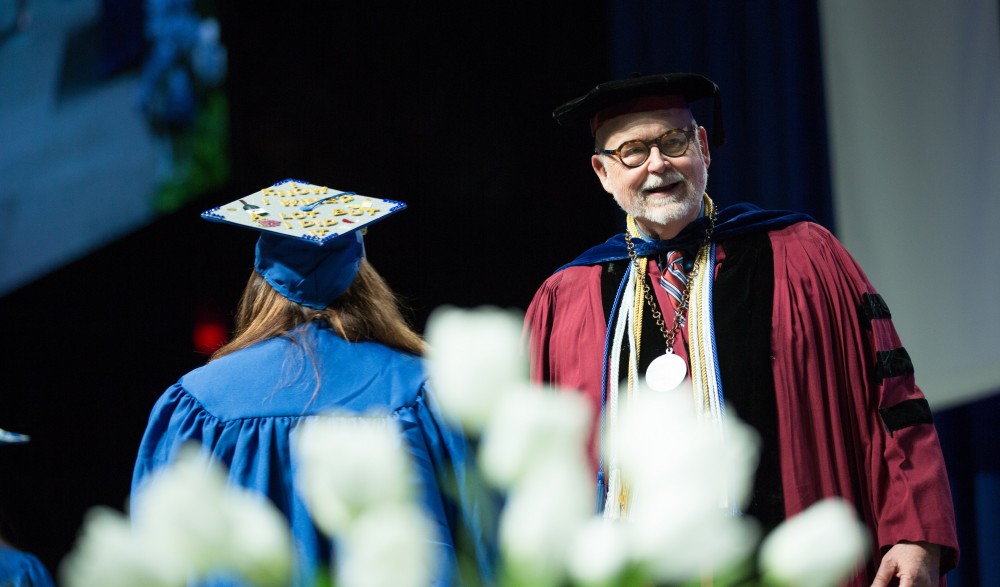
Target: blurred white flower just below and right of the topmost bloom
pixel 531 426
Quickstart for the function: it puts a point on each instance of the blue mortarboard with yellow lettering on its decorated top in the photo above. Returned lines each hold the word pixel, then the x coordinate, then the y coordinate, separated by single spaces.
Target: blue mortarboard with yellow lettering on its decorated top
pixel 311 243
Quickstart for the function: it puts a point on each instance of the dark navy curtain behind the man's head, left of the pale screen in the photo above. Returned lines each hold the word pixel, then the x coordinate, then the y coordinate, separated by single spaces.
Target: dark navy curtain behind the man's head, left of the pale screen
pixel 766 58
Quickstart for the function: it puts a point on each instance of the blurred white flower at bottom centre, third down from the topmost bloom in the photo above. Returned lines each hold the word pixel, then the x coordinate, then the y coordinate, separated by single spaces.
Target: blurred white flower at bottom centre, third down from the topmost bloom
pixel 542 516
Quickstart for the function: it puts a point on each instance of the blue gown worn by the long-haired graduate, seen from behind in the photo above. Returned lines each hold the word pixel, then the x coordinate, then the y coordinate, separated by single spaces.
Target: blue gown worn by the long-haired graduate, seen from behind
pixel 243 409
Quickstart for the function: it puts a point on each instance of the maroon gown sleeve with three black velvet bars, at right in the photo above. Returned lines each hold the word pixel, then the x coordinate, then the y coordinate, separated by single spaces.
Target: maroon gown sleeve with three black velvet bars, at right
pixel 842 375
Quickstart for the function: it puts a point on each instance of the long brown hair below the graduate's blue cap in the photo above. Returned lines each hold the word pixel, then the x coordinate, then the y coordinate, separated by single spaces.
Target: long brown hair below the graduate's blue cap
pixel 368 311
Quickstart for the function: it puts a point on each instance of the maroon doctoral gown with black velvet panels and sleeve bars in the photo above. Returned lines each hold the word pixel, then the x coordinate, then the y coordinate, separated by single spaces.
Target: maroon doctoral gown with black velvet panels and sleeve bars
pixel 808 355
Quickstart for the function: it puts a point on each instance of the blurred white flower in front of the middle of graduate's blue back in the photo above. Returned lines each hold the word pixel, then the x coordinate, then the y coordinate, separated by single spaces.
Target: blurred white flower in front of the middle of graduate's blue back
pixel 347 464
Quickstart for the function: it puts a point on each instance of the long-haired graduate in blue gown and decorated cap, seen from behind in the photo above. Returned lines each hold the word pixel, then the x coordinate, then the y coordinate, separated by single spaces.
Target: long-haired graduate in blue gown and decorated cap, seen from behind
pixel 317 330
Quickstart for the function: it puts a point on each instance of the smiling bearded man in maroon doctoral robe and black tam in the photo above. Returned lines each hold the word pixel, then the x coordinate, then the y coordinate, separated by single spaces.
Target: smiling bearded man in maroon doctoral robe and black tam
pixel 804 347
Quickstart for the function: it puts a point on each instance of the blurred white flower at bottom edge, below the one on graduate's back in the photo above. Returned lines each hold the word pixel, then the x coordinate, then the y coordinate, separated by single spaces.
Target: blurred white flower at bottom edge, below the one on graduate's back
pixel 389 546
